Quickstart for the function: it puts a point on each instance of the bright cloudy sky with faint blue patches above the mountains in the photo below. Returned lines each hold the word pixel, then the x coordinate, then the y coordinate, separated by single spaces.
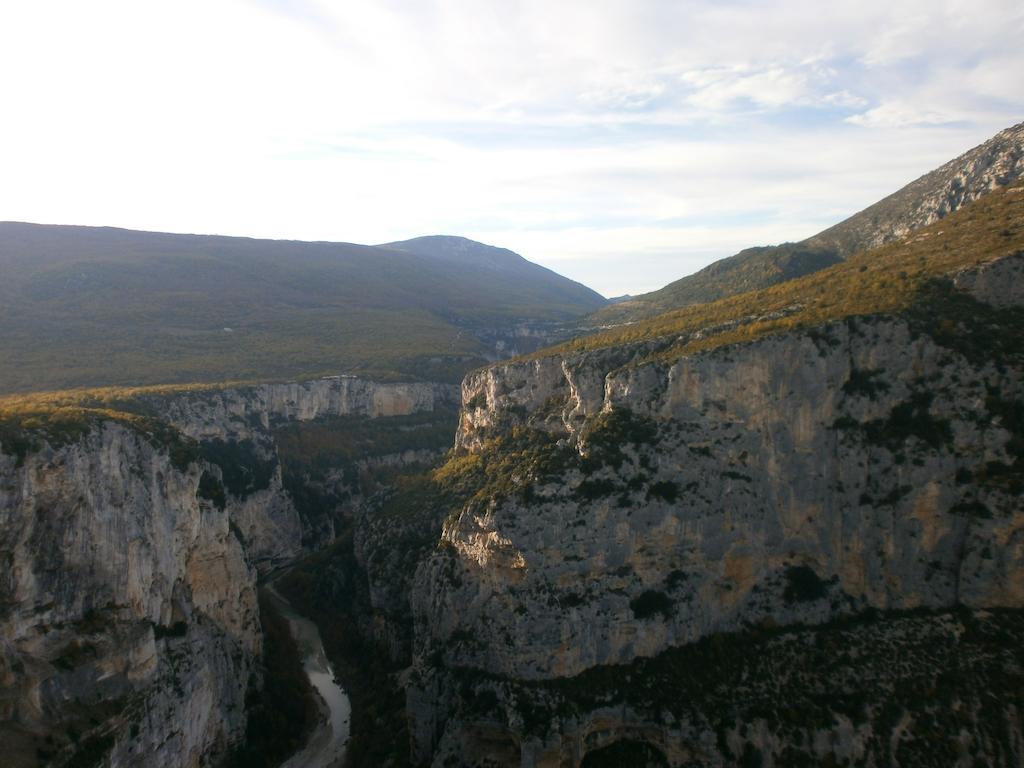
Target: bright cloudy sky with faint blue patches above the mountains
pixel 622 144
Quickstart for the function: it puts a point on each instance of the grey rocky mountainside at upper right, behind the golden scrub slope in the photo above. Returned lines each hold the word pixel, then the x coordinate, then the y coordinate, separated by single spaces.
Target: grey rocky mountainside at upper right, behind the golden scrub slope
pixel 996 163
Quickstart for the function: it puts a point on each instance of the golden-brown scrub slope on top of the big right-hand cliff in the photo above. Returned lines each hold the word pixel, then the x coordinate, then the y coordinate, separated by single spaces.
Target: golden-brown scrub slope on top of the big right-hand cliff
pixel 884 281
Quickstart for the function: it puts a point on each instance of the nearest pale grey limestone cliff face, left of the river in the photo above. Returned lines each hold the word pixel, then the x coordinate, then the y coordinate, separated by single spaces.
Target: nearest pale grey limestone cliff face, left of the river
pixel 130 616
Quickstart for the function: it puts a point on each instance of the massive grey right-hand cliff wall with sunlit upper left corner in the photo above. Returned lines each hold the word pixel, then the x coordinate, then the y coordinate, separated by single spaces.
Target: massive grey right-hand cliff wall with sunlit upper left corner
pixel 624 508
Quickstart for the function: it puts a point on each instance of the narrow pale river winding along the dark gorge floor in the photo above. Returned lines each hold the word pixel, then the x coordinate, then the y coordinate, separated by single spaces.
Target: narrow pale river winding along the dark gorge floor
pixel 329 741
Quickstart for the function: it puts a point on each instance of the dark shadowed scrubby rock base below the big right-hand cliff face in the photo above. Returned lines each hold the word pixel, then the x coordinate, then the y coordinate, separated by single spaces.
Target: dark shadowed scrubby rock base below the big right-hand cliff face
pixel 912 690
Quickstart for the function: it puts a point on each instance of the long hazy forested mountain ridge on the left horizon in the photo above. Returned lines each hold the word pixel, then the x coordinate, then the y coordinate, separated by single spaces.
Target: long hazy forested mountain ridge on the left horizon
pixel 95 307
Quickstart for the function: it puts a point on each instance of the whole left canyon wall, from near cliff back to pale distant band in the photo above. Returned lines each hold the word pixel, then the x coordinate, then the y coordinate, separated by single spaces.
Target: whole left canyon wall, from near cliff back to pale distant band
pixel 132 542
